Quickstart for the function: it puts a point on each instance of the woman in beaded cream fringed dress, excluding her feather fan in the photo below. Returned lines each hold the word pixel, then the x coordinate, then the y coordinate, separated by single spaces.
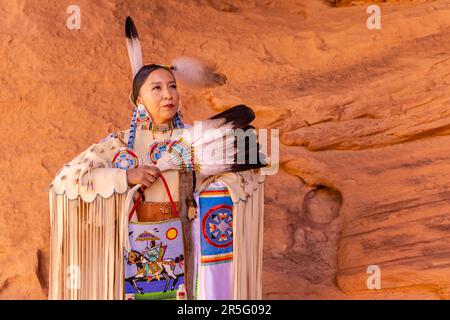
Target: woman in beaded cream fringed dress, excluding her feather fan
pixel 122 229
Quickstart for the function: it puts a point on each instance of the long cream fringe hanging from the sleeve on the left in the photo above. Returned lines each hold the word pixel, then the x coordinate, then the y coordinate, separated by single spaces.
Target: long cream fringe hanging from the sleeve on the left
pixel 86 247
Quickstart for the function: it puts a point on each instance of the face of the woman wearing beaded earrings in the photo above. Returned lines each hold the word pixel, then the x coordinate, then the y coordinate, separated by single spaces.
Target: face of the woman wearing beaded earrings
pixel 160 96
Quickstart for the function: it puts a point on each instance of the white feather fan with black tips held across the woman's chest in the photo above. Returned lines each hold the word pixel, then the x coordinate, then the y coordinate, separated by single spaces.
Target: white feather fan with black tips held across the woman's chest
pixel 226 143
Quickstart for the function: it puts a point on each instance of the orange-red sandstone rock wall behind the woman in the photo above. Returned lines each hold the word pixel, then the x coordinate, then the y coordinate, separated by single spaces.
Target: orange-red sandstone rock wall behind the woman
pixel 363 118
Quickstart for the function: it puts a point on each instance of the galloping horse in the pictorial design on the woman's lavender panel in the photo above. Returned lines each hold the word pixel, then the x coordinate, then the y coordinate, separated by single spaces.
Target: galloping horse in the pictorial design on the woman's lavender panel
pixel 143 269
